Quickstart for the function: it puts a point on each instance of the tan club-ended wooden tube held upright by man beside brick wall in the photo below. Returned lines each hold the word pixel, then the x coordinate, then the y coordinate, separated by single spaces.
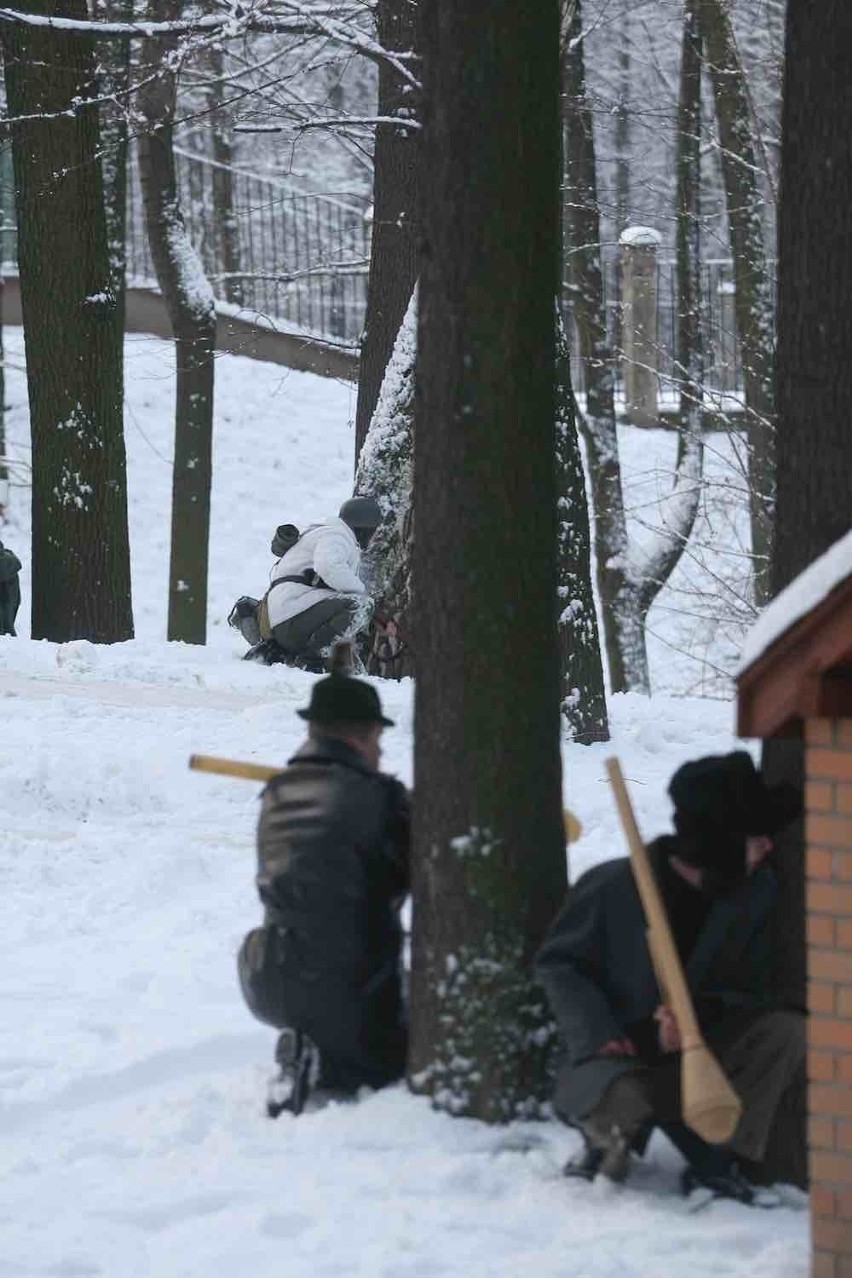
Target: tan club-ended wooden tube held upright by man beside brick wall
pixel 710 1105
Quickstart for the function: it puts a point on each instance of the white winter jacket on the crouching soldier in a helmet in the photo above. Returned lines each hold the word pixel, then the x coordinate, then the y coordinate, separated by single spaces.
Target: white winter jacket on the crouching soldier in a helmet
pixel 333 553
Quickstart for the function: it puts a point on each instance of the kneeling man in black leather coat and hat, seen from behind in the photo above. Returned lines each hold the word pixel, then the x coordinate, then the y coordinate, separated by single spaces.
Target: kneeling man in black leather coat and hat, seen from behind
pixel 333 875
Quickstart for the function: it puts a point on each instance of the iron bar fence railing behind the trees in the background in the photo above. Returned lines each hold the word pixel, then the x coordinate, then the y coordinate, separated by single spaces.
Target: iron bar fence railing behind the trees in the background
pixel 303 260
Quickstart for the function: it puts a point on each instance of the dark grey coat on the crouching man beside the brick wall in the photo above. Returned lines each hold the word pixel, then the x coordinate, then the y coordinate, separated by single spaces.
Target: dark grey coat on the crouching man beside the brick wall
pixel 597 972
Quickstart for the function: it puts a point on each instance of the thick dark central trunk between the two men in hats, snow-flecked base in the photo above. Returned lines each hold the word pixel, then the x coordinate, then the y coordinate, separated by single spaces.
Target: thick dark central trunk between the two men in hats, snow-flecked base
pixel 490 858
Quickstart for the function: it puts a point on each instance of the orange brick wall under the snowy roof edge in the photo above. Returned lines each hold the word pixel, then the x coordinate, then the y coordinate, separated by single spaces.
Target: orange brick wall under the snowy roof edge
pixel 830 966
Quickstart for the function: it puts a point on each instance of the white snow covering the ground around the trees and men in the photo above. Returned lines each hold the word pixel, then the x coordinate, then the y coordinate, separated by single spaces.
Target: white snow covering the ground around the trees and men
pixel 132 1079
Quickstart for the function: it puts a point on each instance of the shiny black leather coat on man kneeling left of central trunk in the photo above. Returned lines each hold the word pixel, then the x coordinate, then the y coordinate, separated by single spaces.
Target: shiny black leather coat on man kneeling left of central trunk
pixel 334 863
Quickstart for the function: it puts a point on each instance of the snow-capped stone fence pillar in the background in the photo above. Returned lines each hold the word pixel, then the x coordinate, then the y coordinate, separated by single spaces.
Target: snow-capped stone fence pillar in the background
pixel 639 249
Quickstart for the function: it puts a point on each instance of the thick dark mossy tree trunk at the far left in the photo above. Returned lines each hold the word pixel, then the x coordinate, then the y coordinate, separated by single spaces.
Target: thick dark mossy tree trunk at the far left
pixel 81 566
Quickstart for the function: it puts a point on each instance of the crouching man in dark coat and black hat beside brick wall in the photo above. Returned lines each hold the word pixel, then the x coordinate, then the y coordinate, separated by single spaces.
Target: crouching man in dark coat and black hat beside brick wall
pixel 621 1070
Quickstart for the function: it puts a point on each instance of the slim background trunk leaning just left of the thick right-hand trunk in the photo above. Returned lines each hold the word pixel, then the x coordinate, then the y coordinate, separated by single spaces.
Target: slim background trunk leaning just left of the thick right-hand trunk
pixel 753 301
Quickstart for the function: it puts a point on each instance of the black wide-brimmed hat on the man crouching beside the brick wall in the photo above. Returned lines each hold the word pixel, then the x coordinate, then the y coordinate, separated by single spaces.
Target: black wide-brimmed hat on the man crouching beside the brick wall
pixel 726 793
